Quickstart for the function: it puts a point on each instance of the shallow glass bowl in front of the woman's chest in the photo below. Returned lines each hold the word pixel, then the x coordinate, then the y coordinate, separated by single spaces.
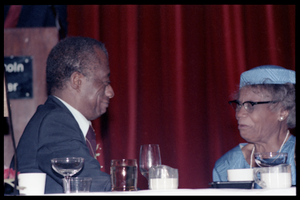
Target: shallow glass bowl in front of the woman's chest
pixel 269 159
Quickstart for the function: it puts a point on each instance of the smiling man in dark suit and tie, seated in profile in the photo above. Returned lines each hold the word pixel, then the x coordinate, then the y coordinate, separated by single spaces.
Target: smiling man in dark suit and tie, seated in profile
pixel 79 87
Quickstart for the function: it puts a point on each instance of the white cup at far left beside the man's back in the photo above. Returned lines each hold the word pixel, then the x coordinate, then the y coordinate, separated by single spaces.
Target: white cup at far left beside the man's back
pixel 32 183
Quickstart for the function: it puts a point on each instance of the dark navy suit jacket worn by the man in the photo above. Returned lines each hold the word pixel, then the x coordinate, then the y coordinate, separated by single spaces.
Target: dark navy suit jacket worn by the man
pixel 53 132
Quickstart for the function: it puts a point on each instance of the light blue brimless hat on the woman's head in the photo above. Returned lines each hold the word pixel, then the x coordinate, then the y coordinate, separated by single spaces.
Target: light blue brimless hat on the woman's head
pixel 267 74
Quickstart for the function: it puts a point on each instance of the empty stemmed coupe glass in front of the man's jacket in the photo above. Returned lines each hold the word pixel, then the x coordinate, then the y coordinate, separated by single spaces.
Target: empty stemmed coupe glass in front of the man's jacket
pixel 67 167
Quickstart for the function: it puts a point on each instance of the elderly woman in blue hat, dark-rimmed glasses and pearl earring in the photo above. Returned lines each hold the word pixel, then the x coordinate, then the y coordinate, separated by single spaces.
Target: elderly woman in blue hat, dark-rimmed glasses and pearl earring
pixel 265 110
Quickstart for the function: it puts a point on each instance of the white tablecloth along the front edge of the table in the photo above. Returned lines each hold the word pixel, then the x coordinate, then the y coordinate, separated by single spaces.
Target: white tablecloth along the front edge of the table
pixel 194 192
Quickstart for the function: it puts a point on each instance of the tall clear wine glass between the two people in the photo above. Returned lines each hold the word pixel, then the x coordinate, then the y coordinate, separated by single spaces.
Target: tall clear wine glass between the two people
pixel 149 156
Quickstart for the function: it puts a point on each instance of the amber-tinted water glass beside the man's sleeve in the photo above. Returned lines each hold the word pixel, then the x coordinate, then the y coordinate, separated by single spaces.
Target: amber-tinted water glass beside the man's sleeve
pixel 123 174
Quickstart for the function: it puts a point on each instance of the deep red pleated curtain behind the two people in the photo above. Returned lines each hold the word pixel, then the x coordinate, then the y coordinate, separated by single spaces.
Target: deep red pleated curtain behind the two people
pixel 173 69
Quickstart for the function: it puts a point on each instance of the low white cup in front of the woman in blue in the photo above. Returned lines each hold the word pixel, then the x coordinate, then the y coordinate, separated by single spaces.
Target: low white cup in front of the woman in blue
pixel 240 174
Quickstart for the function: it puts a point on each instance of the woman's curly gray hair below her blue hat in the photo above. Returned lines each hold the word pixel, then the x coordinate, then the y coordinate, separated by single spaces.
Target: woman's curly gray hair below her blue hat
pixel 283 93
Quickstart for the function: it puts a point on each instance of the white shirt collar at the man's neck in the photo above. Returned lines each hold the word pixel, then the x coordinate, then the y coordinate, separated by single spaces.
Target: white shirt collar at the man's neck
pixel 81 120
